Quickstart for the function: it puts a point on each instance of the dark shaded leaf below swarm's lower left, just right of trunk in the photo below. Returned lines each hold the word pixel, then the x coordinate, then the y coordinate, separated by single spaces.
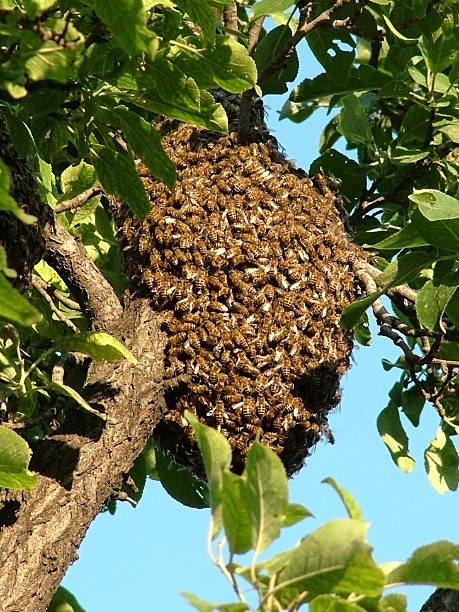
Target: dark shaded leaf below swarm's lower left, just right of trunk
pixel 180 483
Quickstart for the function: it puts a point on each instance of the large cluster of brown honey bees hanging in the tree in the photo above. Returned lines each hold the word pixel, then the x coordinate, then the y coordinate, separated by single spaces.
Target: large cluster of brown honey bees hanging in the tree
pixel 250 262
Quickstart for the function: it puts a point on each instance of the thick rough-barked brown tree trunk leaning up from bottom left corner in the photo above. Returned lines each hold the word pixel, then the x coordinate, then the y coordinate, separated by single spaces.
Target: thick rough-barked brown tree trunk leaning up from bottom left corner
pixel 80 467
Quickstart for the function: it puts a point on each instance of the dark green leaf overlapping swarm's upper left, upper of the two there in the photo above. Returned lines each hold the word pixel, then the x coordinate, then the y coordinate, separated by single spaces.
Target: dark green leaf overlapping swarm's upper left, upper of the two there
pixel 146 143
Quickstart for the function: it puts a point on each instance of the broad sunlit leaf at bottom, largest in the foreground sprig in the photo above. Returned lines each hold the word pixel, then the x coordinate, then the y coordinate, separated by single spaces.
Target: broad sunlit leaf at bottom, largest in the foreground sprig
pixel 334 558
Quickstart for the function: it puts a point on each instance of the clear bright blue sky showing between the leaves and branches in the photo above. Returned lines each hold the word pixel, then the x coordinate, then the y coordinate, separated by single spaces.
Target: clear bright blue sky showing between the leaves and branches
pixel 140 559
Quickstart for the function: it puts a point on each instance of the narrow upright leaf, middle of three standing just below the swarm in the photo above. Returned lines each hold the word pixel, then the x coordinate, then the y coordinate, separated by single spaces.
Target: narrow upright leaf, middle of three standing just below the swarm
pixel 236 517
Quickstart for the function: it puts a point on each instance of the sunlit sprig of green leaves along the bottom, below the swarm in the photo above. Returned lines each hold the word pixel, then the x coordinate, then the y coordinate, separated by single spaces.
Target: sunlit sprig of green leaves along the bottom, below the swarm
pixel 332 568
